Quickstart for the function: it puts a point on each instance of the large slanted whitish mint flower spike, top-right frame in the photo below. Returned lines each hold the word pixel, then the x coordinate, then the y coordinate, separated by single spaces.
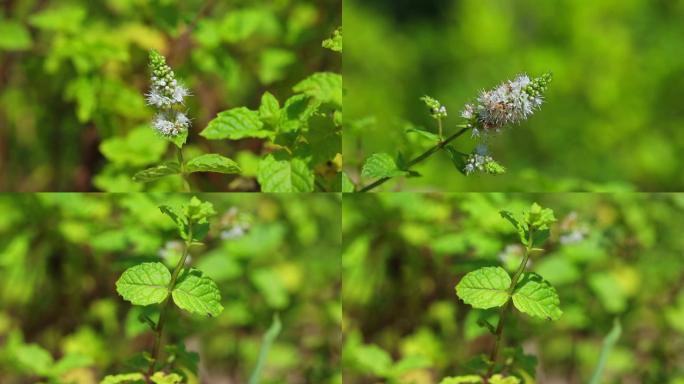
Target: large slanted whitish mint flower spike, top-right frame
pixel 509 103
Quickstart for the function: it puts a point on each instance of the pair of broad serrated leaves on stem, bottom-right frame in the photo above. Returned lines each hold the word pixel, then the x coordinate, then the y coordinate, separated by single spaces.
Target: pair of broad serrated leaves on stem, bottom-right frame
pixel 489 287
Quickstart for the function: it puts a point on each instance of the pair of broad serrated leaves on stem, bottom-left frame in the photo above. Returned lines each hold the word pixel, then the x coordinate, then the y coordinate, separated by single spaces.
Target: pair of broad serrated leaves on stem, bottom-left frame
pixel 149 283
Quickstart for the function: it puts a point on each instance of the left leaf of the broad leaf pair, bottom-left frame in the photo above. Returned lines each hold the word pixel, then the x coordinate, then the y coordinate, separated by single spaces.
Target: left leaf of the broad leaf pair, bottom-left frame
pixel 144 284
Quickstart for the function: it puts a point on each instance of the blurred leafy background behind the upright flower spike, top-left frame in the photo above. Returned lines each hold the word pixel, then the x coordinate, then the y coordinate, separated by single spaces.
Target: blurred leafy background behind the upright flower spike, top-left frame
pixel 73 74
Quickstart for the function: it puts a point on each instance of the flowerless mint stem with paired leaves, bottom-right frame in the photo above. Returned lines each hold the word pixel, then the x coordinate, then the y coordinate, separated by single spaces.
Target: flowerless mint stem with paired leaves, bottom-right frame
pixel 528 292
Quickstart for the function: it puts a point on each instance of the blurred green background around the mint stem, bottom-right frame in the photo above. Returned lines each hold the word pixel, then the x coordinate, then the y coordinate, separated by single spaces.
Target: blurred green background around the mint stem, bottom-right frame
pixel 609 256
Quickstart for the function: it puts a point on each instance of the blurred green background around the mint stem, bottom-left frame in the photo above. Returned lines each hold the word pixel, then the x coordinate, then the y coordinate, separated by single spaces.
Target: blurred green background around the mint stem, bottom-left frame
pixel 60 255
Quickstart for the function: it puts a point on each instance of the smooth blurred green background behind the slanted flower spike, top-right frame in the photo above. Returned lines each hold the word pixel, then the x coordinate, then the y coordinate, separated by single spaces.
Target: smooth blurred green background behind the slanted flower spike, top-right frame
pixel 613 117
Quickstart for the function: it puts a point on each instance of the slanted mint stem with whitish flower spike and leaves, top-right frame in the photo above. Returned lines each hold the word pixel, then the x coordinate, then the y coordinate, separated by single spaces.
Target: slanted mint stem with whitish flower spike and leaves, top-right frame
pixel 510 103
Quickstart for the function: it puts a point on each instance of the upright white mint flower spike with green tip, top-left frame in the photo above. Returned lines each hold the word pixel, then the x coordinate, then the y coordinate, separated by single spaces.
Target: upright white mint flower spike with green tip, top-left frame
pixel 166 94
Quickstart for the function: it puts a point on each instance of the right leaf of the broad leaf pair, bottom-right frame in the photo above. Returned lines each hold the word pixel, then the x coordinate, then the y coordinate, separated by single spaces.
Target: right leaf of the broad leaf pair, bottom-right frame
pixel 536 297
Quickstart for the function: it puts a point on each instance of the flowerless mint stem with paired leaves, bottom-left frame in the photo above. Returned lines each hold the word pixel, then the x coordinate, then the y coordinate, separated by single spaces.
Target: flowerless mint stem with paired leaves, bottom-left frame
pixel 152 283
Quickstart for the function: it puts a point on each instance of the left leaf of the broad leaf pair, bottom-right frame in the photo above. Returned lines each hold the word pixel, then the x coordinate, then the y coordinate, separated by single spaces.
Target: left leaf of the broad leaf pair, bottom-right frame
pixel 485 287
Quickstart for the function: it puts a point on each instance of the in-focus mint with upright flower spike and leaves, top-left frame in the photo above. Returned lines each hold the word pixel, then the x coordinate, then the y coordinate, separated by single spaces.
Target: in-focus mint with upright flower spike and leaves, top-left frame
pixel 302 135
